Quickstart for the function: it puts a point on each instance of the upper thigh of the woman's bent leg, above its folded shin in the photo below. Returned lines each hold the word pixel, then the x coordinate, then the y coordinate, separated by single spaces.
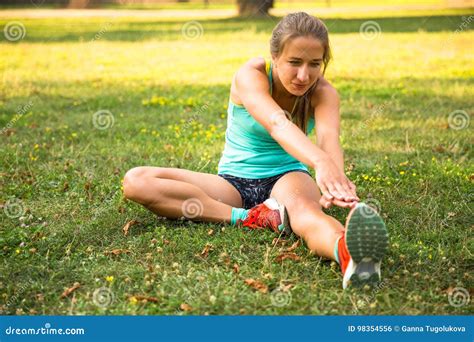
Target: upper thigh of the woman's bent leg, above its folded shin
pixel 213 185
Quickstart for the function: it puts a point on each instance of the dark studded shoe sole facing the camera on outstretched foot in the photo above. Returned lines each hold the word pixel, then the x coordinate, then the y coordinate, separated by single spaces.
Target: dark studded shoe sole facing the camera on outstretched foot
pixel 367 243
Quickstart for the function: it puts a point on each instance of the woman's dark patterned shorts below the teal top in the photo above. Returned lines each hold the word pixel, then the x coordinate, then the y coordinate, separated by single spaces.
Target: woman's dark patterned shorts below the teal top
pixel 255 191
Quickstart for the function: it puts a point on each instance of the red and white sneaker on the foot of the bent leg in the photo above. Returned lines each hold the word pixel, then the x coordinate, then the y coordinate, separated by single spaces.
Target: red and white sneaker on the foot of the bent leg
pixel 269 214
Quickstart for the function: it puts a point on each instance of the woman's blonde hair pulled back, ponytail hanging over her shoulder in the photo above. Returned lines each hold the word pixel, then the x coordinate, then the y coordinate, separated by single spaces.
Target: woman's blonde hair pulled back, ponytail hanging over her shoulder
pixel 295 25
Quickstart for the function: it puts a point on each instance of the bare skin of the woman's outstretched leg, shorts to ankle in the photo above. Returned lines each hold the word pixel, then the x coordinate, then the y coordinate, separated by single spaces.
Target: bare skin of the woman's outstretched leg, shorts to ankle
pixel 299 193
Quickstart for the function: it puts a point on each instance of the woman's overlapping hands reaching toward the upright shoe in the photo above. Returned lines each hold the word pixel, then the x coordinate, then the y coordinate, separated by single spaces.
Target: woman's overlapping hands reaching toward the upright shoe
pixel 336 188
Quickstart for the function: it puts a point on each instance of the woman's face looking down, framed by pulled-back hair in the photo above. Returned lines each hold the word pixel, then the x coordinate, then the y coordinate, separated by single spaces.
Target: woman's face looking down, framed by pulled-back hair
pixel 299 64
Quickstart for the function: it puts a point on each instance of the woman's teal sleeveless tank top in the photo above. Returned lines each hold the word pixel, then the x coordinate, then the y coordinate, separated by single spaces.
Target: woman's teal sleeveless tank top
pixel 250 151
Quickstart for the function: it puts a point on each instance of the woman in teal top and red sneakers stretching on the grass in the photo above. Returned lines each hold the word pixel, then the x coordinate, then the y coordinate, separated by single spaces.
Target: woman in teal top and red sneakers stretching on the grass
pixel 272 108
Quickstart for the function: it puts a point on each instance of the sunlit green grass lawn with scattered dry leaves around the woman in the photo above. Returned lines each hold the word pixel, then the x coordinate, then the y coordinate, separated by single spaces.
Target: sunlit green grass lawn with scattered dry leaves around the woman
pixel 61 176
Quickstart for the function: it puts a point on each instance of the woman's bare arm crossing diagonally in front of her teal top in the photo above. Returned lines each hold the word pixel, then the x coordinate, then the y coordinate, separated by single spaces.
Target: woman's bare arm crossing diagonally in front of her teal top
pixel 252 88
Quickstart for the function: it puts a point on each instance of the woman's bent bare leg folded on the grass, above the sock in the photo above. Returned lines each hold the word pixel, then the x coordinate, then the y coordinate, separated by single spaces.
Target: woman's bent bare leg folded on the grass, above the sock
pixel 175 193
